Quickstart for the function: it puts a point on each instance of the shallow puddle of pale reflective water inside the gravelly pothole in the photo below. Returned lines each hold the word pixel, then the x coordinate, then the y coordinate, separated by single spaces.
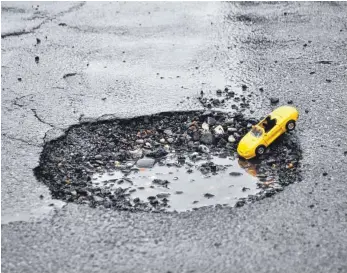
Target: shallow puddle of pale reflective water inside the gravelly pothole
pixel 184 185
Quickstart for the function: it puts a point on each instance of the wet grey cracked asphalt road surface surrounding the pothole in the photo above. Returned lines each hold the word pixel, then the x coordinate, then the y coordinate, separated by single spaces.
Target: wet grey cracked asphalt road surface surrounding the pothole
pixel 107 60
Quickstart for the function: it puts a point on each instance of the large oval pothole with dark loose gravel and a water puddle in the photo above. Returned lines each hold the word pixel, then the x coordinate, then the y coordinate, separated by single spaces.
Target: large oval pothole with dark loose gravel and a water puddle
pixel 173 161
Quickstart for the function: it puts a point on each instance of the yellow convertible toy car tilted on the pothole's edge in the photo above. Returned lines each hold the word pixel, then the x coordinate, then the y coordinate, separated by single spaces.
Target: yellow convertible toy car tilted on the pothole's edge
pixel 255 142
